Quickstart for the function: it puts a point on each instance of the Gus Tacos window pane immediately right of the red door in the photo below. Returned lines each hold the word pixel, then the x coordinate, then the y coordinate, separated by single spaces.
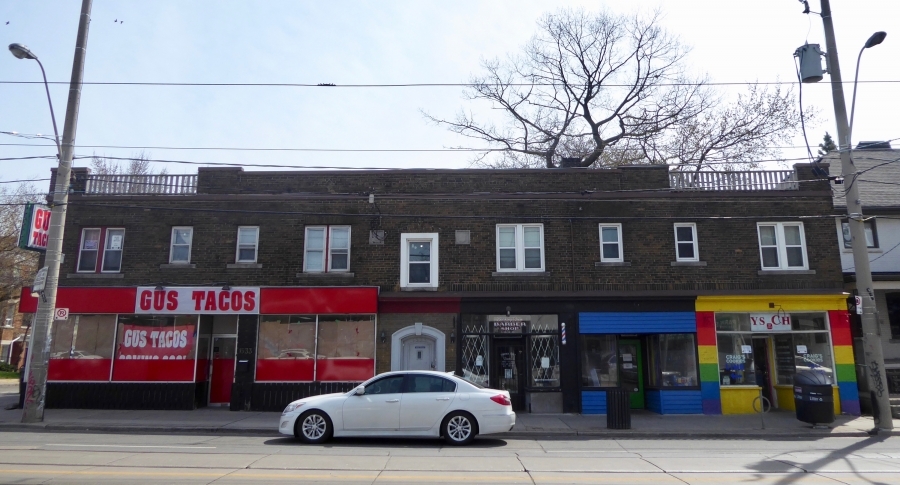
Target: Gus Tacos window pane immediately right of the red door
pixel 286 348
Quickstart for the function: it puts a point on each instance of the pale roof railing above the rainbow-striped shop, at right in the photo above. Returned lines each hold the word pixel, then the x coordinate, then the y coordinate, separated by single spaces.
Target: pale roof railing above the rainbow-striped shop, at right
pixel 747 180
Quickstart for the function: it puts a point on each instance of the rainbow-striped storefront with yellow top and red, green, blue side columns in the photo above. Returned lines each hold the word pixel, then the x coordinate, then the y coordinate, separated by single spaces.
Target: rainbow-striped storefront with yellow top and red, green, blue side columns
pixel 752 346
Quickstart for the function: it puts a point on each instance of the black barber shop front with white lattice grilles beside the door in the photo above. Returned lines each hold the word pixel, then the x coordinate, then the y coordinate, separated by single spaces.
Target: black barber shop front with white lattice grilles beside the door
pixel 515 353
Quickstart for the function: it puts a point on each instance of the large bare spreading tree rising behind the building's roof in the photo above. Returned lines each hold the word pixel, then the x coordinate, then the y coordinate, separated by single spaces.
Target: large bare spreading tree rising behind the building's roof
pixel 611 89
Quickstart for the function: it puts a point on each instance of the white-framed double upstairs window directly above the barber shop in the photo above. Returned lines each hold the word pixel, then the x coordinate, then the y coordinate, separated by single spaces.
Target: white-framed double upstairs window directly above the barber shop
pixel 520 247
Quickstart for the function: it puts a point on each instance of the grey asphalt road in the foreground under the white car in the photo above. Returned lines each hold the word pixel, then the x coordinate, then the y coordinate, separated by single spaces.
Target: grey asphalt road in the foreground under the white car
pixel 43 457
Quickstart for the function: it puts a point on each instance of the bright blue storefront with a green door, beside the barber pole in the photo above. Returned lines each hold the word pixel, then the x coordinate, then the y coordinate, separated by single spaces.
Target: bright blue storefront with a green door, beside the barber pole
pixel 652 355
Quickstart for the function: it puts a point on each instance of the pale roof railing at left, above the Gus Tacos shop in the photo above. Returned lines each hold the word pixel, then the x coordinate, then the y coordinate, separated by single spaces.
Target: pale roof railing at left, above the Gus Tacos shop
pixel 141 184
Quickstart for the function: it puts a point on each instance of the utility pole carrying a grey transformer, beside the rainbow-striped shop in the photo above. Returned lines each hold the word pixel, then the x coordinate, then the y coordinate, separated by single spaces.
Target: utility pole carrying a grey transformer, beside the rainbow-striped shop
pixel 874 355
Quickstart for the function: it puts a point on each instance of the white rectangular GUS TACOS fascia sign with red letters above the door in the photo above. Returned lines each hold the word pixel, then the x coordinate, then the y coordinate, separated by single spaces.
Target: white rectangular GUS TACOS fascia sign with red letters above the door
pixel 192 300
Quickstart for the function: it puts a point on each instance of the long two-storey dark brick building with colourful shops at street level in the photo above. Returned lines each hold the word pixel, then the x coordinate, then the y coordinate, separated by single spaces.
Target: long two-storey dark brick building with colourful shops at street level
pixel 692 291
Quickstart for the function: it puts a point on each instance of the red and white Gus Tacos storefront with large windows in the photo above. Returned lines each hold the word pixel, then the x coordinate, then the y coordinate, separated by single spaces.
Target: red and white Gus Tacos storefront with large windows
pixel 183 347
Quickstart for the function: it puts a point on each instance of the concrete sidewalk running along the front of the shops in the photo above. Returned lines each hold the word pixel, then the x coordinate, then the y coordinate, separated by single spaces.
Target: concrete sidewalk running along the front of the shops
pixel 644 424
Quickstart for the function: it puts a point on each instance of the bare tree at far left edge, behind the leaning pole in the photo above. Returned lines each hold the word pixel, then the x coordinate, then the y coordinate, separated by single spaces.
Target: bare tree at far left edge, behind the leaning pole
pixel 17 266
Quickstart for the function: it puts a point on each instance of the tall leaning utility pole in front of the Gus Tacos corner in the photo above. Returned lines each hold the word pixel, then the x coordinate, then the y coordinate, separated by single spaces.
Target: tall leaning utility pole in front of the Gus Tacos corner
pixel 40 354
